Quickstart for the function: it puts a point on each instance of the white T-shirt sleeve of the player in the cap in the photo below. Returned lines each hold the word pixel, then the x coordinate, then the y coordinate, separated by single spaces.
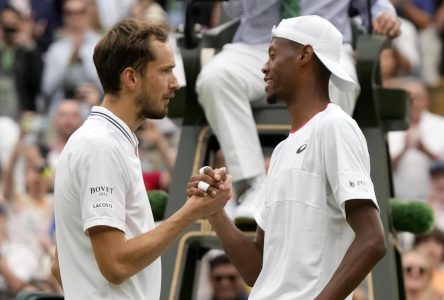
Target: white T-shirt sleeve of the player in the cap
pixel 347 162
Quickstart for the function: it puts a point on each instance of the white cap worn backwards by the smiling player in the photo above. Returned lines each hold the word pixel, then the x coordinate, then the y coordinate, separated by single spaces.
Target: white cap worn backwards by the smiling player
pixel 325 40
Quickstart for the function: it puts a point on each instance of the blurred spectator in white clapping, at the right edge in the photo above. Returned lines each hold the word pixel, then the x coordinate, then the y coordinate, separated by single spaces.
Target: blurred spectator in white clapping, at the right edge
pixel 413 151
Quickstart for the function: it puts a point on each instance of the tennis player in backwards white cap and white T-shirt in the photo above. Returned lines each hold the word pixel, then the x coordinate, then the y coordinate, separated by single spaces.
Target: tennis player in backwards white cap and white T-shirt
pixel 319 229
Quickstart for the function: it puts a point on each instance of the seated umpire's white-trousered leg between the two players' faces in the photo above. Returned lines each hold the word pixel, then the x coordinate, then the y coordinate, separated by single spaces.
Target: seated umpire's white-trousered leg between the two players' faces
pixel 226 86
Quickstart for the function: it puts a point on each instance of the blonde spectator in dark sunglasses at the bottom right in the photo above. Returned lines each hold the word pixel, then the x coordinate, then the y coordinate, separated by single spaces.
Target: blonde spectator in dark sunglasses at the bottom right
pixel 418 271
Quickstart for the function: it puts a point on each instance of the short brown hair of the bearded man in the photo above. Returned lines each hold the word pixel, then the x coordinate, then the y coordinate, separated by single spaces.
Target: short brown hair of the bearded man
pixel 127 44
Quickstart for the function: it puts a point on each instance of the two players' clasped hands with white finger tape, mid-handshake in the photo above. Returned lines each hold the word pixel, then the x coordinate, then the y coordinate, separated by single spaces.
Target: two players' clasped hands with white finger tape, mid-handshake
pixel 208 192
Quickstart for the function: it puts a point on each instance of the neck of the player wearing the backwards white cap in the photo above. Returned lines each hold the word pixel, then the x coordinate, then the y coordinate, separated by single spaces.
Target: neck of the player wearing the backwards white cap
pixel 306 103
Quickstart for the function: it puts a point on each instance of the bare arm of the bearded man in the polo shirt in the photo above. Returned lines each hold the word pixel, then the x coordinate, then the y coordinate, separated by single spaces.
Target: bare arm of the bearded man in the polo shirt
pixel 119 258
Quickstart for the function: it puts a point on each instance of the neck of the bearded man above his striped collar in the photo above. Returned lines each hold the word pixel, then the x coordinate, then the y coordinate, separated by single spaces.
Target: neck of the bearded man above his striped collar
pixel 123 109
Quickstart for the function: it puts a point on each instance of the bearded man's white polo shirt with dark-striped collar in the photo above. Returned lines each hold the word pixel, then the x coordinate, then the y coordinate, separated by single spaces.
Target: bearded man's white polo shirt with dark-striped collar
pixel 99 182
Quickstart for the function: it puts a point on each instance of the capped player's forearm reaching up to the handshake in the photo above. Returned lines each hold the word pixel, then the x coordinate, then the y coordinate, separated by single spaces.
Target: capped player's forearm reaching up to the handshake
pixel 244 253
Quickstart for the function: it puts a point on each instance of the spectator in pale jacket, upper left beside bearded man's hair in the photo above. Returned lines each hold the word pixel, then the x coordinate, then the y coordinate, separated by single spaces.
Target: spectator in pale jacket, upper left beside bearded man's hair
pixel 68 62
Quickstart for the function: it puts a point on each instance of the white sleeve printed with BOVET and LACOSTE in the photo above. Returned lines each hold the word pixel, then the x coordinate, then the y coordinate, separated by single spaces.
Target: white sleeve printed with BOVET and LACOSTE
pixel 102 186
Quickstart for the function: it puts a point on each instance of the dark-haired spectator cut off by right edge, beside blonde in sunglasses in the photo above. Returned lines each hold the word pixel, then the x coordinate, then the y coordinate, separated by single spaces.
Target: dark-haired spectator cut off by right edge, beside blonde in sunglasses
pixel 433 244
